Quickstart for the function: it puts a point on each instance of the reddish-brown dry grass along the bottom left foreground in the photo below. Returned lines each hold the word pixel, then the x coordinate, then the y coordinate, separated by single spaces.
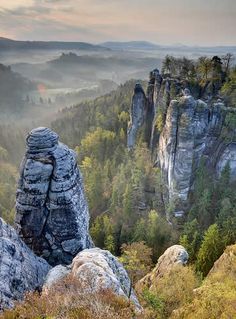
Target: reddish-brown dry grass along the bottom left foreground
pixel 66 300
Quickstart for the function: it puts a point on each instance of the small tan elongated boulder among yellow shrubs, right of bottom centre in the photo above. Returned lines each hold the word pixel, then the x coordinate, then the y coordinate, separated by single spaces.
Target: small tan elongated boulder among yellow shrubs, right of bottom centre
pixel 174 255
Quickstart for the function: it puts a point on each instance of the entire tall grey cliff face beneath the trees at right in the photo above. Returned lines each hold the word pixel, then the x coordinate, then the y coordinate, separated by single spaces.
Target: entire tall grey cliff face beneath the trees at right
pixel 182 125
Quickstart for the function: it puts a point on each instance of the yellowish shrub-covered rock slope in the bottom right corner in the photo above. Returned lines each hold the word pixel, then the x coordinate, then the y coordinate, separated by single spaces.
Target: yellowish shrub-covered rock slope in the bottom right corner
pixel 217 290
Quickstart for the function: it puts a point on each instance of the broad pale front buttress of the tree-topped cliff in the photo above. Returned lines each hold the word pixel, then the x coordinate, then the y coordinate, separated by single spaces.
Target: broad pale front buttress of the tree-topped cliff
pixel 191 131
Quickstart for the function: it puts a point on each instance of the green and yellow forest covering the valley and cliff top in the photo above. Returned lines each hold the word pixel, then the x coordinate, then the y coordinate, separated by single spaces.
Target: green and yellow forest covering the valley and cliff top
pixel 125 191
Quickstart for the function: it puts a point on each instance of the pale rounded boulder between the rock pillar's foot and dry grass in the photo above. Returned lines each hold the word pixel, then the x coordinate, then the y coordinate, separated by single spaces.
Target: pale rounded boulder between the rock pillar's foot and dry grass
pixel 97 270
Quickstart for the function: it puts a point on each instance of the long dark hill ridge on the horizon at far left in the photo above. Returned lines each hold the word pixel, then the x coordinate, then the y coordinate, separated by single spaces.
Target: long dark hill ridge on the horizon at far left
pixel 8 44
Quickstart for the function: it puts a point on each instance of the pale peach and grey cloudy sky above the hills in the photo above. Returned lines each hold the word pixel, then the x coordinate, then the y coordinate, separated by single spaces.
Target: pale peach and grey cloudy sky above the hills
pixel 189 22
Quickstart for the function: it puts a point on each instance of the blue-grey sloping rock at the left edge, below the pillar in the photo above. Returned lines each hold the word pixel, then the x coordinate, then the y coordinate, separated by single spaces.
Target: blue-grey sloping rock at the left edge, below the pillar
pixel 20 269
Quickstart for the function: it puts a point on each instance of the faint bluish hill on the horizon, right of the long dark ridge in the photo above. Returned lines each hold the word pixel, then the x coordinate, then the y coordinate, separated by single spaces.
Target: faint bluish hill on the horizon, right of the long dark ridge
pixel 131 45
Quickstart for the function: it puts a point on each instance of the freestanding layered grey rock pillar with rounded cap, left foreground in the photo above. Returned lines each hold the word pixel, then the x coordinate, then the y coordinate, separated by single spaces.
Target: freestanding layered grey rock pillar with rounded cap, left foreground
pixel 51 210
